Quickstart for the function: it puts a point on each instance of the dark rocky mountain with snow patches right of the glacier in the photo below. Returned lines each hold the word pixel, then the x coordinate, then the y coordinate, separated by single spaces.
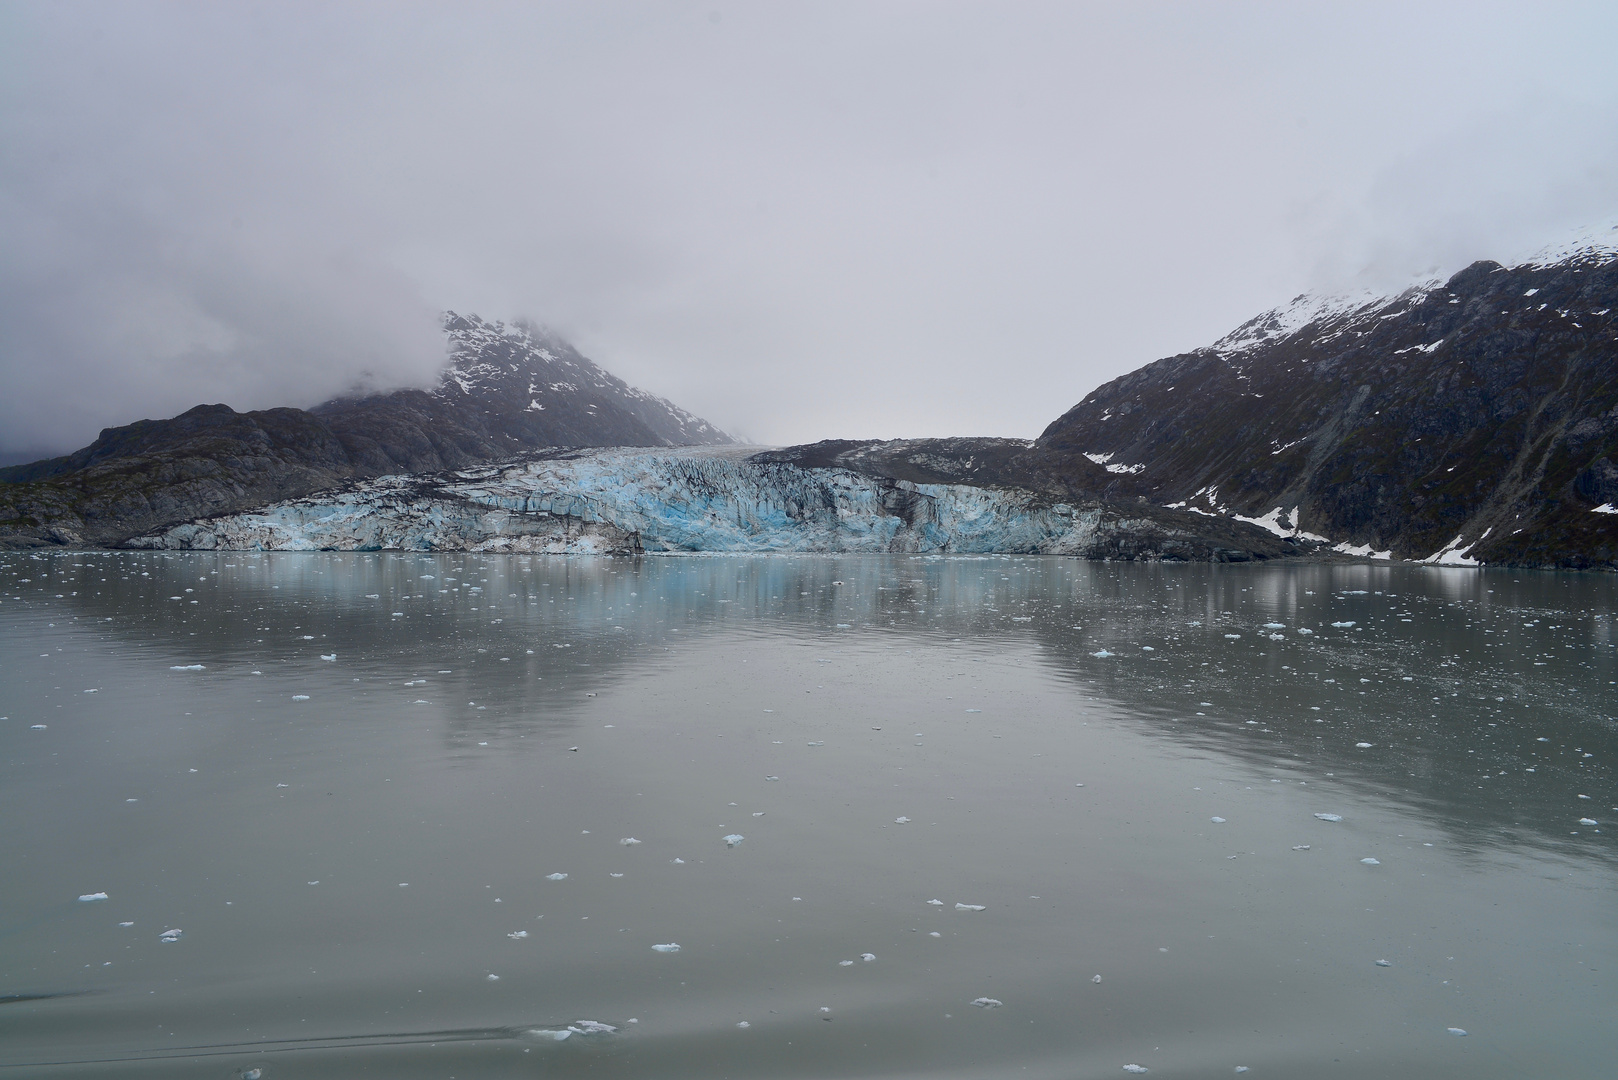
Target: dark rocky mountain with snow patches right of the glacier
pixel 1462 422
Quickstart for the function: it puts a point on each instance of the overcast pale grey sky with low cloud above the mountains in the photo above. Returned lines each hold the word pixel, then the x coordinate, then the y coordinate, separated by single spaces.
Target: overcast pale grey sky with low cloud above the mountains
pixel 800 221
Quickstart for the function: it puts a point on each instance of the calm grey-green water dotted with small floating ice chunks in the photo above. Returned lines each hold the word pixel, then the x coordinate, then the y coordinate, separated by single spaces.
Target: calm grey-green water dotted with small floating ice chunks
pixel 360 809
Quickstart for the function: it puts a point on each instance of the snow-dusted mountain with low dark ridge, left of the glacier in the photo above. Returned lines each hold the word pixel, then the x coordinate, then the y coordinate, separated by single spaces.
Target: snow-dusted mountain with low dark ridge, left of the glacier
pixel 506 389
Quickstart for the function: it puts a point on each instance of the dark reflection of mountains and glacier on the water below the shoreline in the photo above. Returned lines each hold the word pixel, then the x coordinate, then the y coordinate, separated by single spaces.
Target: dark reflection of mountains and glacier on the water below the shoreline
pixel 1449 676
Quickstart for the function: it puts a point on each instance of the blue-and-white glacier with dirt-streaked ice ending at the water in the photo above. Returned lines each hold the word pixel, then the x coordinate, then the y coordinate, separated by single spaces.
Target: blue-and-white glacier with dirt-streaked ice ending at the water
pixel 703 501
